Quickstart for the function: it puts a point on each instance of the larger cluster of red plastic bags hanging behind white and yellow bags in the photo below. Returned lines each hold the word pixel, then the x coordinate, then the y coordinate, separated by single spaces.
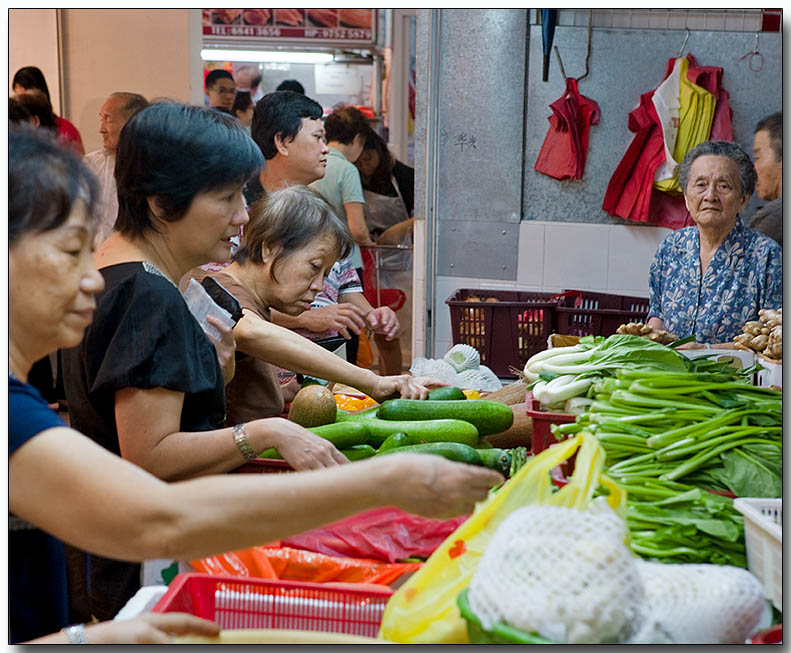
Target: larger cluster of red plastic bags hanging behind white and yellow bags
pixel 630 193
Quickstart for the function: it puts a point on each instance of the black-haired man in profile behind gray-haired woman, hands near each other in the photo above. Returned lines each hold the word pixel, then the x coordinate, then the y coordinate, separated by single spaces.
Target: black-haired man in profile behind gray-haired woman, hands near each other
pixel 287 127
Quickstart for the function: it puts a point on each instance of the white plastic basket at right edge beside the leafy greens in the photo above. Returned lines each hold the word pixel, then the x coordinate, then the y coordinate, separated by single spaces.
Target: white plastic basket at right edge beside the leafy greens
pixel 763 534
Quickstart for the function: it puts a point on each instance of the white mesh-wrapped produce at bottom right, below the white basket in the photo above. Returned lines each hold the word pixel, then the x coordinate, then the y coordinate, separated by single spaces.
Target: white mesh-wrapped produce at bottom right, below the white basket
pixel 698 604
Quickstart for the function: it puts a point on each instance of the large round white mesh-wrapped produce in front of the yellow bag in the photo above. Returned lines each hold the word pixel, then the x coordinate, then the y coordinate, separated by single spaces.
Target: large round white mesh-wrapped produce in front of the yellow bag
pixel 562 573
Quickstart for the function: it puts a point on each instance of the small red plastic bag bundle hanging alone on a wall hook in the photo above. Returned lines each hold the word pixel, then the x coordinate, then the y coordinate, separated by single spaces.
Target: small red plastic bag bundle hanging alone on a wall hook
pixel 565 147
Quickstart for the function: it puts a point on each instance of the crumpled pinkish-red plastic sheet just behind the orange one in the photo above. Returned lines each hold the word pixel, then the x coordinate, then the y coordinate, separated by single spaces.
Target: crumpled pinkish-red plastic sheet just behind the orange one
pixel 386 534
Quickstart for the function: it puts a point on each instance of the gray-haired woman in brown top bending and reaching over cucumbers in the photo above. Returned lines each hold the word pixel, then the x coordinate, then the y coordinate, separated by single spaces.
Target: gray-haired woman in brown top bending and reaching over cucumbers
pixel 291 242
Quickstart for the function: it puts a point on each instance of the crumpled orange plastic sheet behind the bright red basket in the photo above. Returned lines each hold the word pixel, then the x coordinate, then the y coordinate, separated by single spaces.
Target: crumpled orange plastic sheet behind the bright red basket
pixel 285 563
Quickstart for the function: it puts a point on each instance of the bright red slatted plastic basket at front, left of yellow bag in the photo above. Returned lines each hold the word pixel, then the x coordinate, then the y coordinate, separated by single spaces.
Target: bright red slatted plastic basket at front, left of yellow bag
pixel 237 603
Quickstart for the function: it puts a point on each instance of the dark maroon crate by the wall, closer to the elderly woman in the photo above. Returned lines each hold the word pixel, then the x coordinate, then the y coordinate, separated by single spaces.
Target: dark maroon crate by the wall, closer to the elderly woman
pixel 598 314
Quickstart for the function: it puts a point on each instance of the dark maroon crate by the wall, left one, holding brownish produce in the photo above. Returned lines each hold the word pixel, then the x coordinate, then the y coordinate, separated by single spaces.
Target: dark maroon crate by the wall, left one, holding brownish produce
pixel 506 332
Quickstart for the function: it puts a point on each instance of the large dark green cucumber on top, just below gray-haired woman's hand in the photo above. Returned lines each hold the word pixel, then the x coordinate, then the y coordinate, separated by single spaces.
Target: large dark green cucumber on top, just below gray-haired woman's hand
pixel 487 416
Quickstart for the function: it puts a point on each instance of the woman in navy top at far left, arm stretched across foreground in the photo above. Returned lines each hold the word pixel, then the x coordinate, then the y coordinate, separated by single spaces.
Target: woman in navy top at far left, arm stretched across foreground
pixel 63 485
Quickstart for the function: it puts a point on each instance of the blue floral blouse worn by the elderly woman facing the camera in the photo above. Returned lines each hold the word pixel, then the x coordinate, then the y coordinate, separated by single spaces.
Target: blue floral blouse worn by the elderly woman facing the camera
pixel 745 275
